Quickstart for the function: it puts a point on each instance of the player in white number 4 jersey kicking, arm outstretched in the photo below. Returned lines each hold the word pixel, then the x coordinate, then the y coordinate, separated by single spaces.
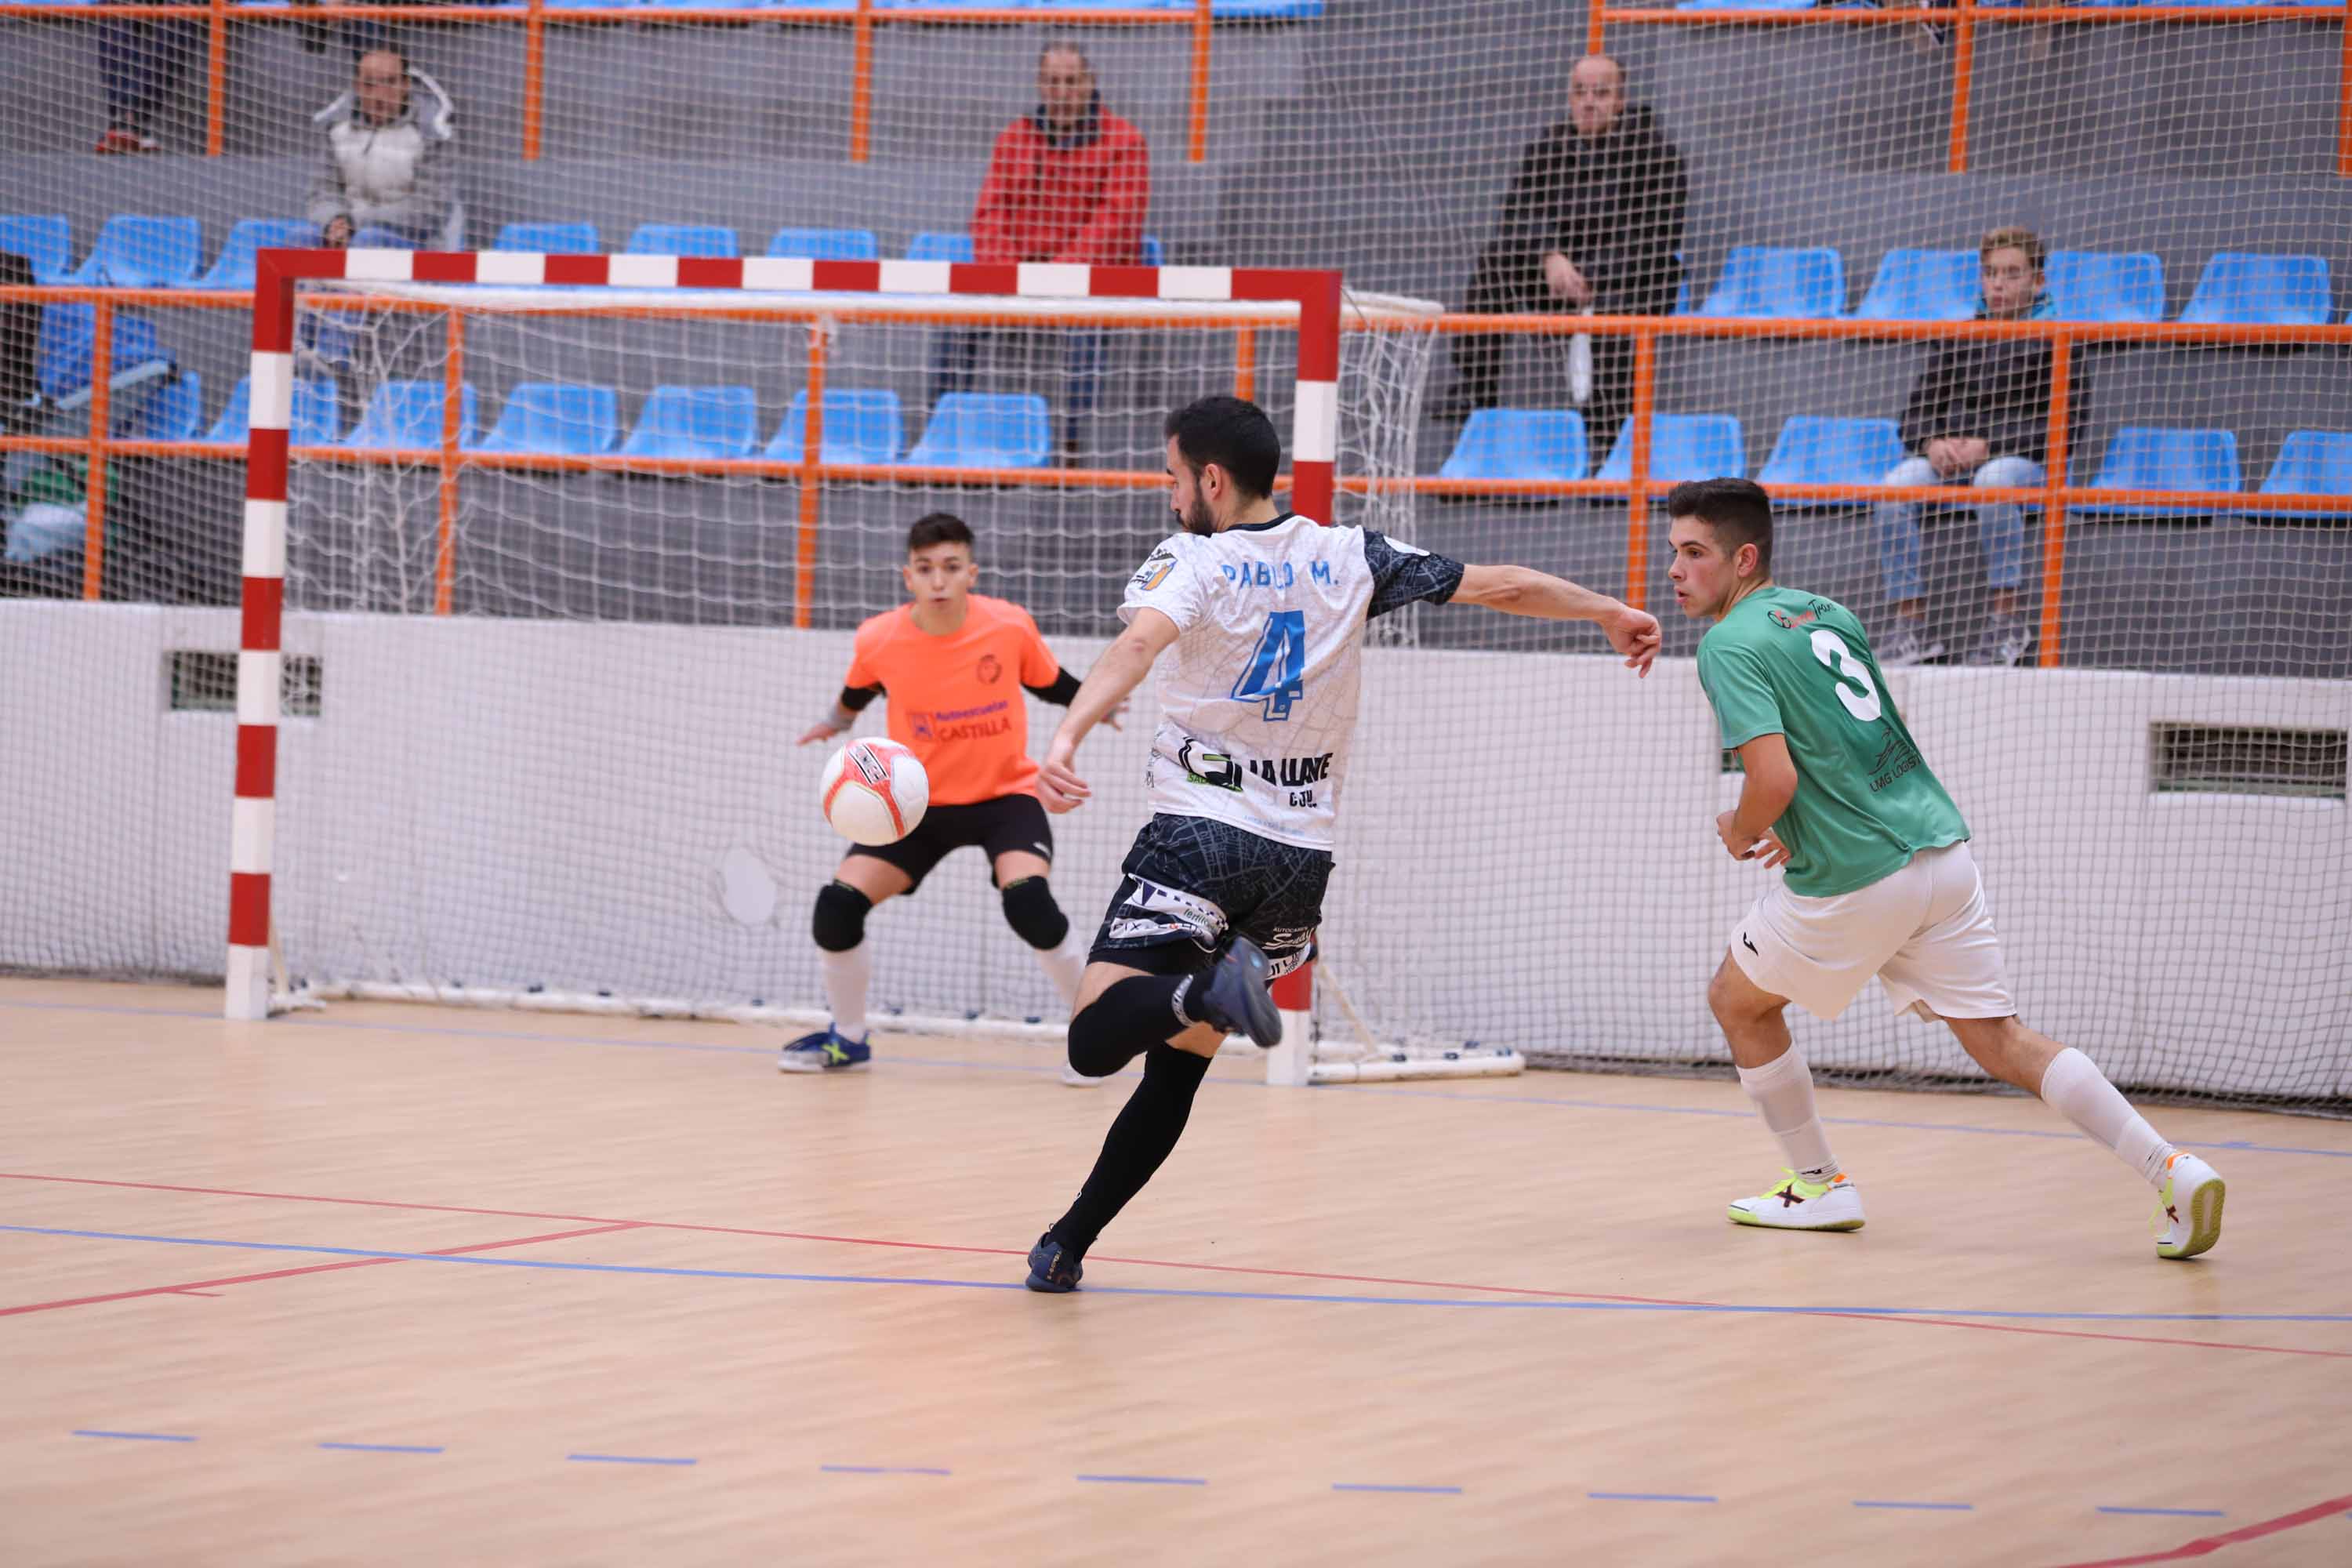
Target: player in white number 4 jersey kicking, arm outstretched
pixel 1224 887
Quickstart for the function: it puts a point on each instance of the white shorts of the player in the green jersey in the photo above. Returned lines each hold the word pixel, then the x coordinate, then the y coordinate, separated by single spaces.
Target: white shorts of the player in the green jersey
pixel 1925 932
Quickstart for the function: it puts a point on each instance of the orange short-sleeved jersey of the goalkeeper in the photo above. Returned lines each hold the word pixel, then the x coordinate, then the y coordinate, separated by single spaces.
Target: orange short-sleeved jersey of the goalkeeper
pixel 958 699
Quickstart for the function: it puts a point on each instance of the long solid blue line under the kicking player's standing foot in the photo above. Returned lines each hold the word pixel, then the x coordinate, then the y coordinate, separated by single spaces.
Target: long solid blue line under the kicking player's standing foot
pixel 483 1261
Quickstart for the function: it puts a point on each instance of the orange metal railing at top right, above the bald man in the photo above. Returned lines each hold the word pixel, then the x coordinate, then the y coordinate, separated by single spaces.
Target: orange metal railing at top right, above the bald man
pixel 1970 15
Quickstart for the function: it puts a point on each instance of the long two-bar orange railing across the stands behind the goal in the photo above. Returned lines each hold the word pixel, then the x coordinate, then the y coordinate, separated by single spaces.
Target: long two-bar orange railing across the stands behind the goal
pixel 450 460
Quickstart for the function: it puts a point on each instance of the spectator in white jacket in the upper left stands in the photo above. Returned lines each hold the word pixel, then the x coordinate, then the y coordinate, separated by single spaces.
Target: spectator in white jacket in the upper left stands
pixel 389 145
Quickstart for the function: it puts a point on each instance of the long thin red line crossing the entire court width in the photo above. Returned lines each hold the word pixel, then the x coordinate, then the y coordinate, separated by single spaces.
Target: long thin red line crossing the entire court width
pixel 1163 1264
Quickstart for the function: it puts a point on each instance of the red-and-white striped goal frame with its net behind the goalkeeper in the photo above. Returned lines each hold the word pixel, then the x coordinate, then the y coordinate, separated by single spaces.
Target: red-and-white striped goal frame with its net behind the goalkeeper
pixel 592 558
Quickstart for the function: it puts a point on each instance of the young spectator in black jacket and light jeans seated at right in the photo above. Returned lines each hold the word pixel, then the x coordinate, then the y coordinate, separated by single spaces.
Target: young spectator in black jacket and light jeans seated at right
pixel 1977 415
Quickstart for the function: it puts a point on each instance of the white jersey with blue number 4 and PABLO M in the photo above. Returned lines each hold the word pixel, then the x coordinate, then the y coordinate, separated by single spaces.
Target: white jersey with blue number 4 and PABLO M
pixel 1259 697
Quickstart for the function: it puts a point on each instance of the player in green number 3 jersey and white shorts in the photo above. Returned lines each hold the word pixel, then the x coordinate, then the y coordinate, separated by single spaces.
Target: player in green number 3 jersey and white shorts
pixel 1880 880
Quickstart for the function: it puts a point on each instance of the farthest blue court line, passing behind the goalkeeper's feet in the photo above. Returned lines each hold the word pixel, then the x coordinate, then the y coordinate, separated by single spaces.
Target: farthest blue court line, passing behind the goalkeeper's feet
pixel 1391 1092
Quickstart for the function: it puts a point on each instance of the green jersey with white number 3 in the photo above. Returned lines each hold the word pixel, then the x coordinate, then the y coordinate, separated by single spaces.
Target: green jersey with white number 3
pixel 1800 666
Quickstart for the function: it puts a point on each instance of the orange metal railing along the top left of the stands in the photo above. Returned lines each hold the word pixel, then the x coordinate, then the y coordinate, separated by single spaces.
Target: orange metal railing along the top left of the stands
pixel 535 20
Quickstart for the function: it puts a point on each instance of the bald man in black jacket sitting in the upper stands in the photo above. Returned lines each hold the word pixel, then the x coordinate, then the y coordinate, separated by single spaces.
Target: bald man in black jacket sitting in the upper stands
pixel 1593 220
